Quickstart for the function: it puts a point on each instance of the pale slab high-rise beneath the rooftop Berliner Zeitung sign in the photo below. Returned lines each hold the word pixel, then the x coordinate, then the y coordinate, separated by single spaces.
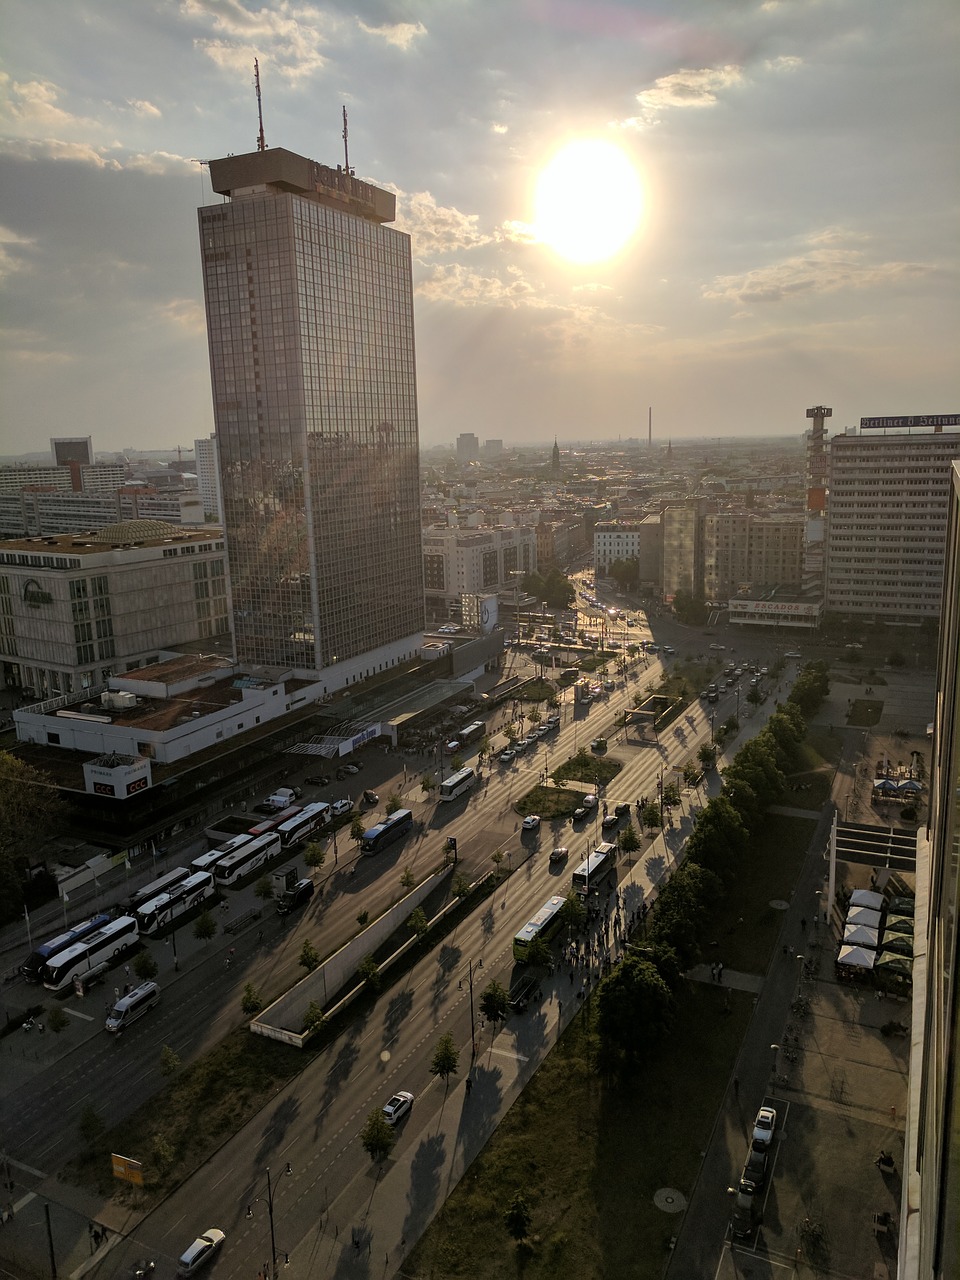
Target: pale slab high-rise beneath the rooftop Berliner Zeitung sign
pixel 886 525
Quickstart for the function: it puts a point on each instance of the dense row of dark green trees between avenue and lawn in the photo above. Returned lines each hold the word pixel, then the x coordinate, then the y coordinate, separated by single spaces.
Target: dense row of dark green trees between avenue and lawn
pixel 636 1003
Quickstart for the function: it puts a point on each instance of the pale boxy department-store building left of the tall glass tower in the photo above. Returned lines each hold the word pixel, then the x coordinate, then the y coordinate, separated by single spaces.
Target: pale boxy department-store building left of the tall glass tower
pixel 76 610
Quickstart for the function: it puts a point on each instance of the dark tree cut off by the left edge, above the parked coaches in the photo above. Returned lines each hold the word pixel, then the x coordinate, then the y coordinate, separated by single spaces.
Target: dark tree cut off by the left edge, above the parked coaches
pixel 30 810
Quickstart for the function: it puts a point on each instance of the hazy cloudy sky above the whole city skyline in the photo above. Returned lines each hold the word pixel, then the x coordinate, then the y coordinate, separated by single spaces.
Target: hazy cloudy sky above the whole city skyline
pixel 798 240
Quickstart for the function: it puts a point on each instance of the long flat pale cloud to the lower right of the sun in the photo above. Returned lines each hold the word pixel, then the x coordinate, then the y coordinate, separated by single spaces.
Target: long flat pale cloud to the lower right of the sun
pixel 822 271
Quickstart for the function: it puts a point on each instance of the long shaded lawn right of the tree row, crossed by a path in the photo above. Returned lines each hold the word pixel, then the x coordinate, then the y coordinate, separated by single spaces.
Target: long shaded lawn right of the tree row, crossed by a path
pixel 612 1144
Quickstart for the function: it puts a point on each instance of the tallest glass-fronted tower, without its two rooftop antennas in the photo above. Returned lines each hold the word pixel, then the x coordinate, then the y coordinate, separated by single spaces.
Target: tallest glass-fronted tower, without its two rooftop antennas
pixel 310 326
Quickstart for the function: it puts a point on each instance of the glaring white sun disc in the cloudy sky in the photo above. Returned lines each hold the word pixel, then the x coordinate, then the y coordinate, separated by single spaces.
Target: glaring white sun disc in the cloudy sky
pixel 589 202
